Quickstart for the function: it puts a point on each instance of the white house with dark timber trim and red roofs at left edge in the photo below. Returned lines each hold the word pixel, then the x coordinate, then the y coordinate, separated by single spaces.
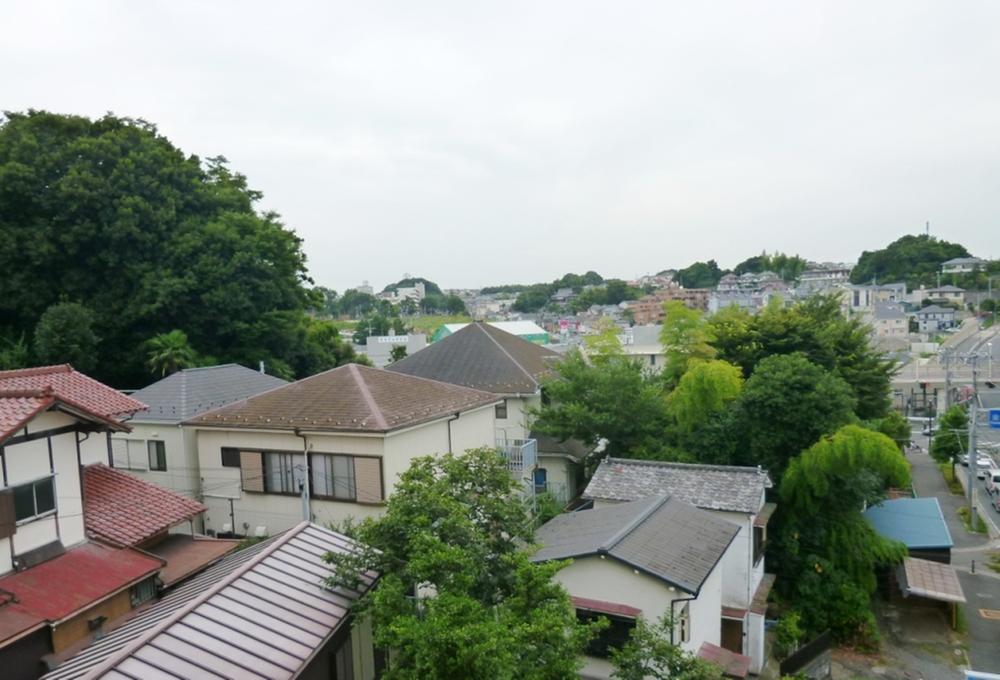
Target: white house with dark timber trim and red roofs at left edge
pixel 56 588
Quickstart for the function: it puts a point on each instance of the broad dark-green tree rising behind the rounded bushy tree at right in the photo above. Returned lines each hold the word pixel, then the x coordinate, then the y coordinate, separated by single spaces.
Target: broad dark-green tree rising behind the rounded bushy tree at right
pixel 816 329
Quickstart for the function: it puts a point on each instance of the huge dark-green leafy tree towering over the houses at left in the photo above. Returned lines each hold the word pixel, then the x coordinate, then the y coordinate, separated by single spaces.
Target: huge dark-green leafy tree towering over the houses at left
pixel 108 213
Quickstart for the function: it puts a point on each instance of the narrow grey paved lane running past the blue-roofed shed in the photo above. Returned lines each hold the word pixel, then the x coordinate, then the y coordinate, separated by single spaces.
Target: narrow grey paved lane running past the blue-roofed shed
pixel 982 589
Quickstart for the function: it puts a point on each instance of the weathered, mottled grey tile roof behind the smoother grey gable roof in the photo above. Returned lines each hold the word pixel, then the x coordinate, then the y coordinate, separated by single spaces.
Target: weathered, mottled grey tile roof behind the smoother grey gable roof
pixel 713 487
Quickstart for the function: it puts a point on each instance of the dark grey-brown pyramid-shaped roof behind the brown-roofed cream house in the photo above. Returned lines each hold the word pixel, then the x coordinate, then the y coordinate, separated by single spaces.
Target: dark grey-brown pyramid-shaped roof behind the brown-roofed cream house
pixel 483 357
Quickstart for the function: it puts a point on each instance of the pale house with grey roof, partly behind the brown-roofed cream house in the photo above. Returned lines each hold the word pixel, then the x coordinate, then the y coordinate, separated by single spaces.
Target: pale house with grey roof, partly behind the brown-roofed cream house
pixel 158 449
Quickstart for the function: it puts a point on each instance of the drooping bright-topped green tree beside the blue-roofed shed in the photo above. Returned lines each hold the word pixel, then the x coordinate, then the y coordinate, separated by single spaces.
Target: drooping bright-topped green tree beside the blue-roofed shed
pixel 826 547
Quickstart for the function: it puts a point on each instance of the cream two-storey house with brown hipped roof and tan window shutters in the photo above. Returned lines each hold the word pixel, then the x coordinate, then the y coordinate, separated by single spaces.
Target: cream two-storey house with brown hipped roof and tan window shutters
pixel 330 446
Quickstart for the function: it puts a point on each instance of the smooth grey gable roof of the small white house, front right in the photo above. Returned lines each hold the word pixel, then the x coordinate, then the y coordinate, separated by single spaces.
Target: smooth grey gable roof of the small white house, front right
pixel 662 536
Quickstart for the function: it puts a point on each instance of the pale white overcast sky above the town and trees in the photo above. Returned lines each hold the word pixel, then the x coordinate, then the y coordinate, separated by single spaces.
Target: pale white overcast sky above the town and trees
pixel 481 143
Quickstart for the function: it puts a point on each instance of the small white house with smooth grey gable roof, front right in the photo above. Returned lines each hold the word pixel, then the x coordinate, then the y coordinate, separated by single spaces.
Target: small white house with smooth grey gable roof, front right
pixel 647 558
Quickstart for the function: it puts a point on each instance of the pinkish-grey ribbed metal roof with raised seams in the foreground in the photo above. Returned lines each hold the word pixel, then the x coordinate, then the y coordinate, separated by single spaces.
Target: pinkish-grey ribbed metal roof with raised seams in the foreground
pixel 268 602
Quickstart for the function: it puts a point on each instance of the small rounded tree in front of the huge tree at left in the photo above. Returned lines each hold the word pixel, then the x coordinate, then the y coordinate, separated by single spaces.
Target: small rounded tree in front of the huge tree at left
pixel 65 335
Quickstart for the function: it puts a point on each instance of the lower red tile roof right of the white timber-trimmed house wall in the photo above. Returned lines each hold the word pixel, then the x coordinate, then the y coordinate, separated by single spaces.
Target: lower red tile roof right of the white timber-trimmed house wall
pixel 124 510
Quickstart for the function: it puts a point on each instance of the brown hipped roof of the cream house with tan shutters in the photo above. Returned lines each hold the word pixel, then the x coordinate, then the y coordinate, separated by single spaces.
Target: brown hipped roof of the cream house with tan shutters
pixel 350 398
